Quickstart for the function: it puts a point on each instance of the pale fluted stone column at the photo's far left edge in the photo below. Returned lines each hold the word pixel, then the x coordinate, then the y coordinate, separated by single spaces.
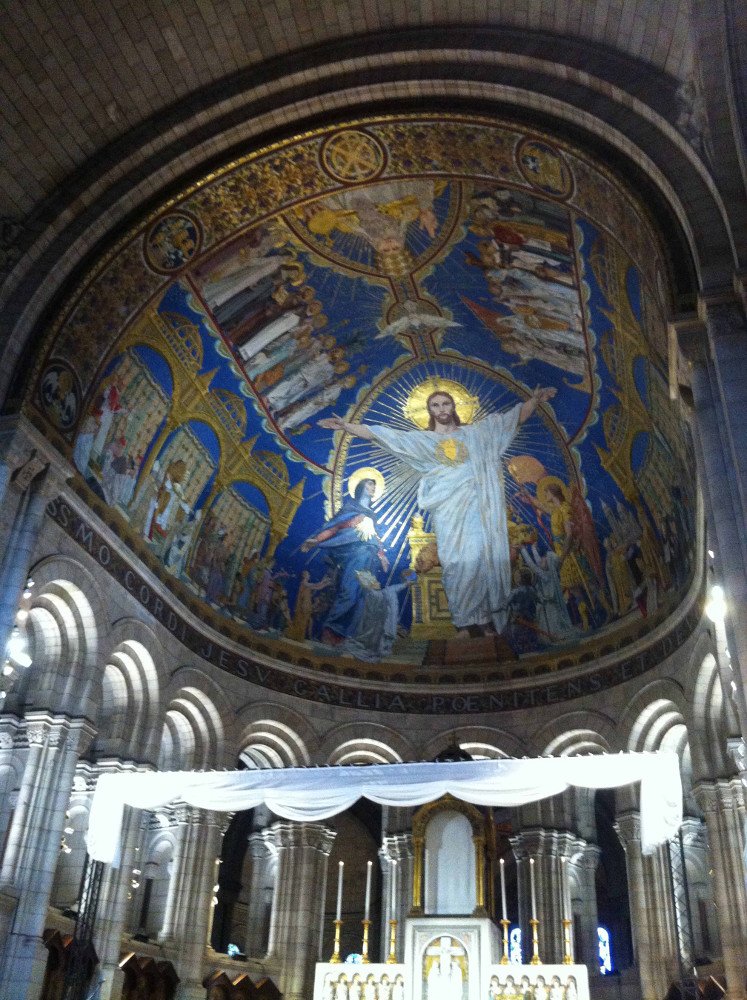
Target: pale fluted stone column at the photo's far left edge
pixel 33 844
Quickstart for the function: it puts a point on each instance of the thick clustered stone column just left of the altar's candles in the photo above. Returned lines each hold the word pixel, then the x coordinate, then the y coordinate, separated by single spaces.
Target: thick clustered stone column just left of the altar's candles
pixel 298 906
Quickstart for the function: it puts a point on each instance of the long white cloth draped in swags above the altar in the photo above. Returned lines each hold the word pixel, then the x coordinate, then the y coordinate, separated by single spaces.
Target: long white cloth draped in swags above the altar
pixel 310 794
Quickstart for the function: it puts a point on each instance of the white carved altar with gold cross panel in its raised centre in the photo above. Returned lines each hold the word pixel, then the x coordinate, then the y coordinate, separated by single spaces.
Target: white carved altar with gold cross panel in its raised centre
pixel 450 958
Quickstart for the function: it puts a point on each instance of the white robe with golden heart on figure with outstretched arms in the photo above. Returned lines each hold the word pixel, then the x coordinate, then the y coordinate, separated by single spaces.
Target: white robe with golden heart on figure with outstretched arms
pixel 465 497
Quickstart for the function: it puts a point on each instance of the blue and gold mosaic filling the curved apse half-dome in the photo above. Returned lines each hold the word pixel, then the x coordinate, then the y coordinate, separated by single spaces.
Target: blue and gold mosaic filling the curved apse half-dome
pixel 392 394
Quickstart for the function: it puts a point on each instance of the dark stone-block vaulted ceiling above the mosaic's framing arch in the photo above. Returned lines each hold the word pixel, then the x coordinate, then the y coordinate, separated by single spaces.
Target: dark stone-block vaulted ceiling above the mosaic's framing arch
pixel 77 76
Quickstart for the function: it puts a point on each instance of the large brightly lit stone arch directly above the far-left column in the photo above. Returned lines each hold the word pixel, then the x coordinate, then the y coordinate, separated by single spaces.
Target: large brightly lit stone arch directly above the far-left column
pixel 65 627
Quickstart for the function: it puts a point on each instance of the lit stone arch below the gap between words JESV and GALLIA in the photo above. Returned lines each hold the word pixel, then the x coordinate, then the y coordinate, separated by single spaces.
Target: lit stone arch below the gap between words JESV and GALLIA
pixel 273 736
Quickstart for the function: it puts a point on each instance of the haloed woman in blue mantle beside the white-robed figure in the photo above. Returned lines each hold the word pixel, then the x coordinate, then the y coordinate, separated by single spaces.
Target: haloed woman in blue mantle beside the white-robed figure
pixel 351 545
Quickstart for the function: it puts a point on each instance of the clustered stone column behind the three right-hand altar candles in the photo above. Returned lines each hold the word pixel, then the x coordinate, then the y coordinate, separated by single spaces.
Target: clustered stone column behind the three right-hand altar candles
pixel 548 848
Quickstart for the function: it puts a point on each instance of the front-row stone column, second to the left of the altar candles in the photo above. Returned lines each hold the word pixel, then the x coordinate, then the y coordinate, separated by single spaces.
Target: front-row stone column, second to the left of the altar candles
pixel 189 905
